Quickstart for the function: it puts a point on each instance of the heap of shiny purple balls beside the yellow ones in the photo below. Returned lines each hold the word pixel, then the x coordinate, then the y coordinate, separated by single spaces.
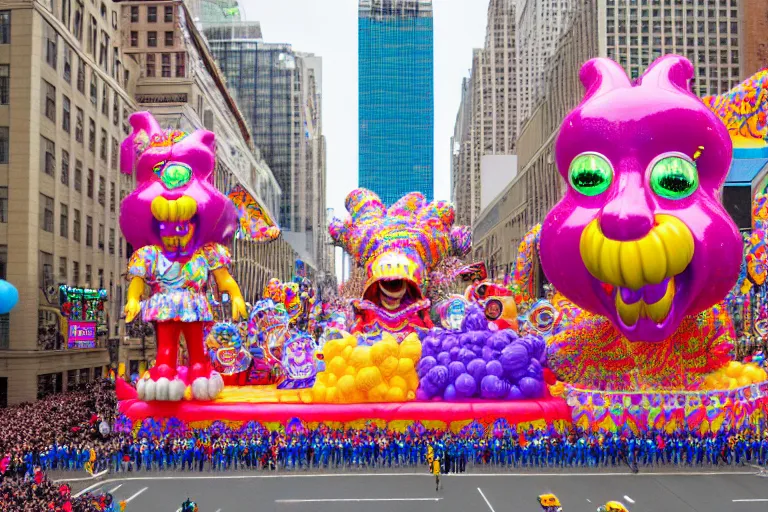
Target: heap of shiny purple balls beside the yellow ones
pixel 479 363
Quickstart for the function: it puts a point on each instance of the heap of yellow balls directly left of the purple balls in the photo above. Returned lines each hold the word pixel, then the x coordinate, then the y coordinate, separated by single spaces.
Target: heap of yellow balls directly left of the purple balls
pixel 382 372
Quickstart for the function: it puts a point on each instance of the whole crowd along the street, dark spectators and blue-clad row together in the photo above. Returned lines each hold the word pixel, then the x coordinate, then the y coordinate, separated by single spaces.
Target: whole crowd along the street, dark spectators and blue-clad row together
pixel 62 433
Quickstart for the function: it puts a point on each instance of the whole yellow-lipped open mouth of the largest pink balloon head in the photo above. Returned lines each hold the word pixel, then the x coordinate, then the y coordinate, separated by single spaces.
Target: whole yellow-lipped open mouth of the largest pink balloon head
pixel 641 280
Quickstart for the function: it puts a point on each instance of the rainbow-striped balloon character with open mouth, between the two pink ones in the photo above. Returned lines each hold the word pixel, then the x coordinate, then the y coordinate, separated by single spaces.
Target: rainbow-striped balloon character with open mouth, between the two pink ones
pixel 398 247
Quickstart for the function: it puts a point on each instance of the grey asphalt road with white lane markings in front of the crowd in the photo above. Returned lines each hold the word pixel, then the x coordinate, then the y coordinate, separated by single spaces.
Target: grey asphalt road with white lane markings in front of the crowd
pixel 659 492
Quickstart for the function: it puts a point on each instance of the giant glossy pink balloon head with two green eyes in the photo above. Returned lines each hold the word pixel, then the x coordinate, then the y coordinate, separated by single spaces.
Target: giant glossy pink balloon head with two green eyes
pixel 641 228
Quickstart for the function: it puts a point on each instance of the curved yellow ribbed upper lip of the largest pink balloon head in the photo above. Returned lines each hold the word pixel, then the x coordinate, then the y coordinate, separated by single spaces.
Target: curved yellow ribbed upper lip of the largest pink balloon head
pixel 663 253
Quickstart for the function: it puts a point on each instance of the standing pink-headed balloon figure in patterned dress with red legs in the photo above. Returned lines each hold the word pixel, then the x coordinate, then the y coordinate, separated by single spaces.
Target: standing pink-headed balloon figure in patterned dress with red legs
pixel 179 224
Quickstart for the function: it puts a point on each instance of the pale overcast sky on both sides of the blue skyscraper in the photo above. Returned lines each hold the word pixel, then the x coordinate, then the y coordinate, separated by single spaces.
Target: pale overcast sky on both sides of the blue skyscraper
pixel 328 28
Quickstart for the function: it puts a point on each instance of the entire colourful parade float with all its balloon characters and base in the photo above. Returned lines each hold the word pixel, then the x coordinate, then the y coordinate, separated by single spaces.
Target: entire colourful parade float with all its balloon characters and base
pixel 635 329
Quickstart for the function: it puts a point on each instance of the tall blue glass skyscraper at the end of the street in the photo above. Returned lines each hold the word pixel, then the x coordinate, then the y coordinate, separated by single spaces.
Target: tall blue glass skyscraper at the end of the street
pixel 396 110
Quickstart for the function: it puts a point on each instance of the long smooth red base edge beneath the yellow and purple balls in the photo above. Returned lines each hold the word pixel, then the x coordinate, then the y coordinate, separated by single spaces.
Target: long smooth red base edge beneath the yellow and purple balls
pixel 548 409
